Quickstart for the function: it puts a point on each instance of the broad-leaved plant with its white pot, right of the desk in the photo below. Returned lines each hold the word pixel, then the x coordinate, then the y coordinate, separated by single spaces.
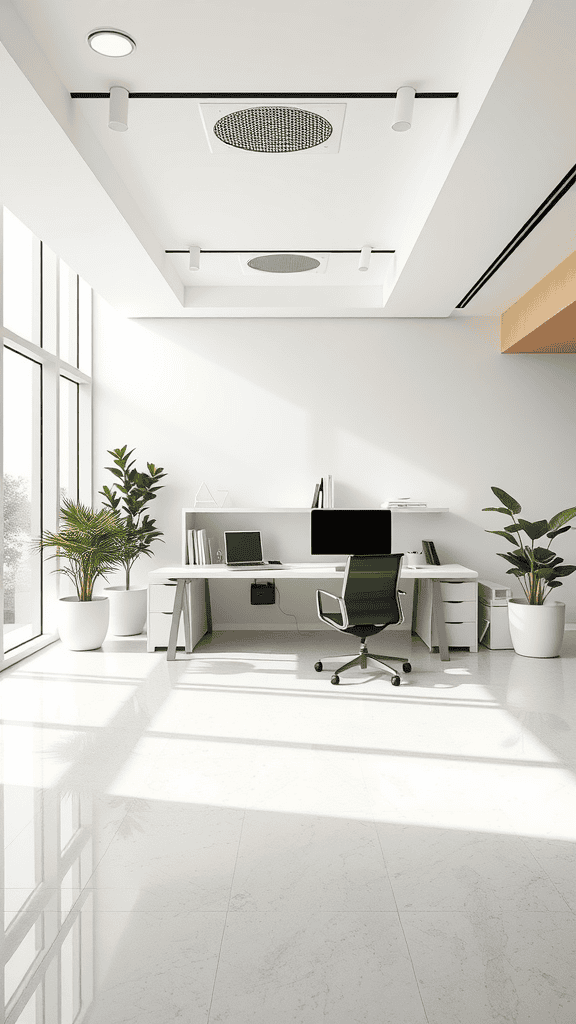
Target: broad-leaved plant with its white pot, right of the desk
pixel 537 623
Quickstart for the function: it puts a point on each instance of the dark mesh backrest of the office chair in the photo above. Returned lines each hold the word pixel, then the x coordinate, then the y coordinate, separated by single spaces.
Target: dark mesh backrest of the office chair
pixel 371 589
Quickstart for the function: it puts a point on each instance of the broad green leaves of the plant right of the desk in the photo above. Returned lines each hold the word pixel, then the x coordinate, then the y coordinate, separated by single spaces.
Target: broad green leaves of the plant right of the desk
pixel 539 569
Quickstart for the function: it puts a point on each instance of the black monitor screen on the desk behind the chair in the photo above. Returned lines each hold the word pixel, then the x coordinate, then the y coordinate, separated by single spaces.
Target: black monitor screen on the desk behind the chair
pixel 351 532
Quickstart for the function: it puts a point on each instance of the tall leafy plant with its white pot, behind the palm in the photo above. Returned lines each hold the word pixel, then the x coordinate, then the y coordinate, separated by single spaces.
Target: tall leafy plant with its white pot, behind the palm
pixel 131 496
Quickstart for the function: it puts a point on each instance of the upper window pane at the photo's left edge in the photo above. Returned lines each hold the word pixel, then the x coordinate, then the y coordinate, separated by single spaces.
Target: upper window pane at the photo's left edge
pixel 19 277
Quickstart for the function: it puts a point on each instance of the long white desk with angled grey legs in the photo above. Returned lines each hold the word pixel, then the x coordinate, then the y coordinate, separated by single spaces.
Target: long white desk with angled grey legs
pixel 298 571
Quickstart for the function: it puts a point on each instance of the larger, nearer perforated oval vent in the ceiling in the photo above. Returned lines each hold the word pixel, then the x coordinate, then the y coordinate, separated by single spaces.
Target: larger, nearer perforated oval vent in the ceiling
pixel 273 130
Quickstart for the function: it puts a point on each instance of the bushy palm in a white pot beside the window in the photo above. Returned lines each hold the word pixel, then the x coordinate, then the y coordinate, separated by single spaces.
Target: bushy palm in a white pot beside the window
pixel 91 544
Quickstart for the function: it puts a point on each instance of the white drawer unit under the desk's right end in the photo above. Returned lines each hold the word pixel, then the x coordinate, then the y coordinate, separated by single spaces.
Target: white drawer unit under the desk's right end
pixel 460 603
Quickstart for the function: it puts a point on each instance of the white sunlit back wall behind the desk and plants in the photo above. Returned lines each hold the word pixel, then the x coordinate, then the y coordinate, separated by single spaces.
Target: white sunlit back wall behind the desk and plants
pixel 428 408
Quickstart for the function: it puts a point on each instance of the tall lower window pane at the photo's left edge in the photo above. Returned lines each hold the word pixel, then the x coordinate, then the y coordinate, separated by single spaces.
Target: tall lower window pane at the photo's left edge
pixel 22 499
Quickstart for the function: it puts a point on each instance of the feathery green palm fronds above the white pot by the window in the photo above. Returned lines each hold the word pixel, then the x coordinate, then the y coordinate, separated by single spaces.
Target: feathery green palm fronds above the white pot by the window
pixel 90 541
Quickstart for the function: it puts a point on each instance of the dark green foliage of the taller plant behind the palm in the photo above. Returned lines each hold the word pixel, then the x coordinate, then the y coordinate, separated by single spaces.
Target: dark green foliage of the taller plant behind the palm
pixel 131 496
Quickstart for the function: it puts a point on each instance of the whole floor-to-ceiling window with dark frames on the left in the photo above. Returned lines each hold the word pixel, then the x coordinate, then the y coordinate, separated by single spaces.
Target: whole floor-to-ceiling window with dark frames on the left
pixel 47 319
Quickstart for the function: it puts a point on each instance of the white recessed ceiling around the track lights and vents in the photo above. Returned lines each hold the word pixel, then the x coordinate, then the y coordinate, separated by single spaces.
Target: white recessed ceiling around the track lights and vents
pixel 446 196
